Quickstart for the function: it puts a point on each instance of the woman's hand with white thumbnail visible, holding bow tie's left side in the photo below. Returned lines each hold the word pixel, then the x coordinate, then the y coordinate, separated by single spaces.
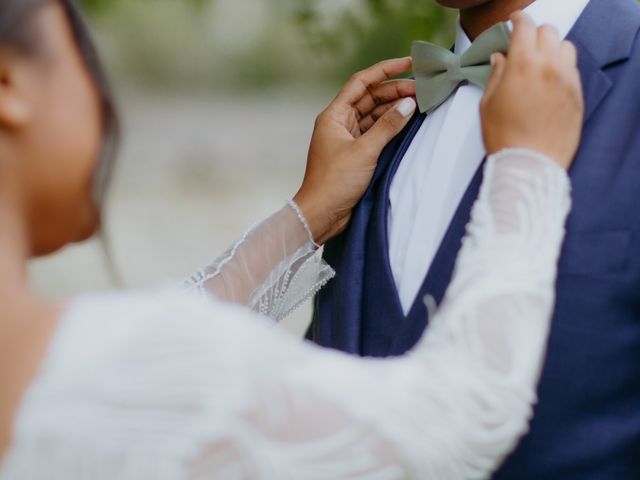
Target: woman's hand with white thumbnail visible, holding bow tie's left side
pixel 347 141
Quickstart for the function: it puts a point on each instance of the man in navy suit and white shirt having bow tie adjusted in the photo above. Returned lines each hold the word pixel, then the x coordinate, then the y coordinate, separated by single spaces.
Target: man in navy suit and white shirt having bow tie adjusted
pixel 405 235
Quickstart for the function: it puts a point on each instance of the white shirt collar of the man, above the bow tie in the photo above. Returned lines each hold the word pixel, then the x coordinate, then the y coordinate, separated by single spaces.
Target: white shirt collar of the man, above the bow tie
pixel 562 14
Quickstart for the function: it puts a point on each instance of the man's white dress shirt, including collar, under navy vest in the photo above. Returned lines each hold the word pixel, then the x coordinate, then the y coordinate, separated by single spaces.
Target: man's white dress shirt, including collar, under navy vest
pixel 440 163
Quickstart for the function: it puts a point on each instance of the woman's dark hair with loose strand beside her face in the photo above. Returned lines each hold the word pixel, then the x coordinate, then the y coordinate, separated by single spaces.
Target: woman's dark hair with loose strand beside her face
pixel 17 30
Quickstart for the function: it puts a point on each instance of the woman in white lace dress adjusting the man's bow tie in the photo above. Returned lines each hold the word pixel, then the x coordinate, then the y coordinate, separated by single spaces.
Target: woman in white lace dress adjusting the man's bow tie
pixel 195 383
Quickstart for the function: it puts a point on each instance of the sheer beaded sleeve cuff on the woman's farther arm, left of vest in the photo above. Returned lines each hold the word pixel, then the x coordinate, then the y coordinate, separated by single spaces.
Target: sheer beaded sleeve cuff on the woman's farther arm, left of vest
pixel 272 269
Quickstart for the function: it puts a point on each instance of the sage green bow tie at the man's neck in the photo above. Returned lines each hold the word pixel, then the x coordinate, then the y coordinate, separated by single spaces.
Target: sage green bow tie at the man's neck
pixel 439 71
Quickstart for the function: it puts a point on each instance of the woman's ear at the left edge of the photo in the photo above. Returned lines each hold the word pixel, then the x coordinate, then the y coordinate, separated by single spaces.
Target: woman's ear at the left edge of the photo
pixel 16 94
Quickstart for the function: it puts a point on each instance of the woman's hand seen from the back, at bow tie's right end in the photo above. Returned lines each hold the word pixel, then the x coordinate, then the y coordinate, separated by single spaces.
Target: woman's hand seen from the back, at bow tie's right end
pixel 534 96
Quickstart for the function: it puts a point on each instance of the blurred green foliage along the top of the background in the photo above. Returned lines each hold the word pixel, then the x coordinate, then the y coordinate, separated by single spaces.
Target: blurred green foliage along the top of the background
pixel 191 44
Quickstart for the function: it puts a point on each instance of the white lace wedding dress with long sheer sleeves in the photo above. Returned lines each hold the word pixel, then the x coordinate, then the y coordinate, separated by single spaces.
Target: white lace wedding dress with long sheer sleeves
pixel 171 385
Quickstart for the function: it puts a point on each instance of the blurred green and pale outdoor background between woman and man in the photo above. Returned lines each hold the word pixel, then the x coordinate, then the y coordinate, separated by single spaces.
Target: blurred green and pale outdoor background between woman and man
pixel 218 100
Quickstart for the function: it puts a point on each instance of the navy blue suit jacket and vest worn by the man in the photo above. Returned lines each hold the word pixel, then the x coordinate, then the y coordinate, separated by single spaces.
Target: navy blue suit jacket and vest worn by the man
pixel 587 422
